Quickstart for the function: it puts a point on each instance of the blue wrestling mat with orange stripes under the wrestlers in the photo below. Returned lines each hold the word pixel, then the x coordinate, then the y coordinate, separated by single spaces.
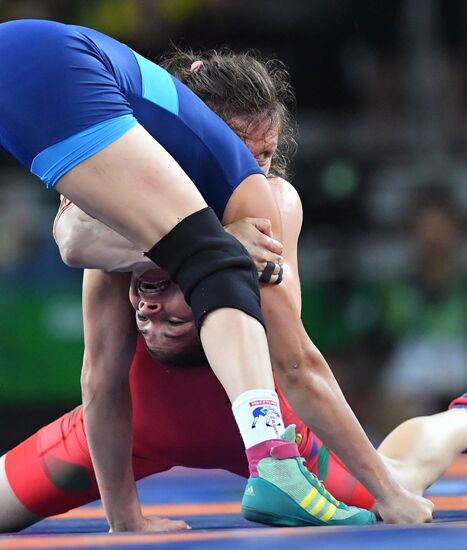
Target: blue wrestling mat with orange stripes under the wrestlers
pixel 209 501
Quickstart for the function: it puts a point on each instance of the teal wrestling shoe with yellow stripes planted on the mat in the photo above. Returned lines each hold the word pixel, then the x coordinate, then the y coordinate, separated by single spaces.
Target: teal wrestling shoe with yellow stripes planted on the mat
pixel 286 494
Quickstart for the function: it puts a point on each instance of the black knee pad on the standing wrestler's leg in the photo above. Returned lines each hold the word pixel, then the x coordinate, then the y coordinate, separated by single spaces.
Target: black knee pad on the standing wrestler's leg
pixel 211 267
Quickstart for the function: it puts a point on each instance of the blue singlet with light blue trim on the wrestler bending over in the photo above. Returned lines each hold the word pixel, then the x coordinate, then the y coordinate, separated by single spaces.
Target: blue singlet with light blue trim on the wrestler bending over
pixel 67 92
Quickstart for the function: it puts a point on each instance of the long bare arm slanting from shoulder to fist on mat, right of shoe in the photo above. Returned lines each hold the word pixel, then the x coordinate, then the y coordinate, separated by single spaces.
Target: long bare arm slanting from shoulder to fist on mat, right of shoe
pixel 303 373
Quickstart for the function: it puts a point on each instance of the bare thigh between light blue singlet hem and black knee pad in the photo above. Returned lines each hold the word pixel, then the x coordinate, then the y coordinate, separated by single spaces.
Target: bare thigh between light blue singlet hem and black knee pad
pixel 135 187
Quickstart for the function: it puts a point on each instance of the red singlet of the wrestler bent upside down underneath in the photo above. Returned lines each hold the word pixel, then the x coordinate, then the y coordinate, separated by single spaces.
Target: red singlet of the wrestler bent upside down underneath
pixel 51 472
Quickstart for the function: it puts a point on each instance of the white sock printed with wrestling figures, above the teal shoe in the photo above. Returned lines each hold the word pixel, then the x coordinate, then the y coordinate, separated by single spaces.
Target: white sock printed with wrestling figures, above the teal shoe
pixel 258 416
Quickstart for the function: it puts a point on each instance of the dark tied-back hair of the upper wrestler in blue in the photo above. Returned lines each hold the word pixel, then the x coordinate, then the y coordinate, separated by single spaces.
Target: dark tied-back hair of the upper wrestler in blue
pixel 242 85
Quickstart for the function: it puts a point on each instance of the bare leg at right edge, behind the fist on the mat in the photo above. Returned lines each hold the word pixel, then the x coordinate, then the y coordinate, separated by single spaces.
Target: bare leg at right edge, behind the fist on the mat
pixel 420 450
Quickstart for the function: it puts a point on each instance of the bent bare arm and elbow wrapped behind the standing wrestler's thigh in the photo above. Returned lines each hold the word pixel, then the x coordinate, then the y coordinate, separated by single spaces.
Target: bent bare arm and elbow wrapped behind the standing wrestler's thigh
pixel 87 243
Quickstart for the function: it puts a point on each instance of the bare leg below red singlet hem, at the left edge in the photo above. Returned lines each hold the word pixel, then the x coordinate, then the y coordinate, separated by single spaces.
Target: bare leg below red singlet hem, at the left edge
pixel 13 515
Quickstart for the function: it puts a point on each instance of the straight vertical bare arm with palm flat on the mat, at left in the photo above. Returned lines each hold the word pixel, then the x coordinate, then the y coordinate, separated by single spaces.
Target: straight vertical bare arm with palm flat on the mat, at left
pixel 107 402
